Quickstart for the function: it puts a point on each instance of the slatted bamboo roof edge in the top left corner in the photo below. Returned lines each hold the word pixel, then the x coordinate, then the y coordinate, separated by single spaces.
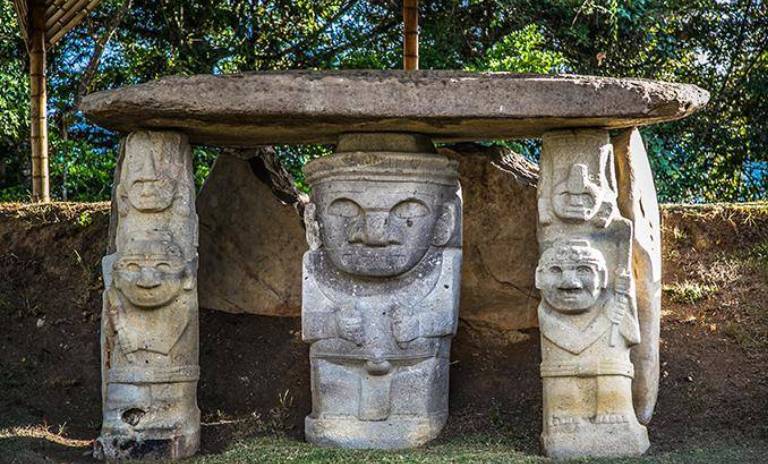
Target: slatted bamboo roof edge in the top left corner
pixel 61 16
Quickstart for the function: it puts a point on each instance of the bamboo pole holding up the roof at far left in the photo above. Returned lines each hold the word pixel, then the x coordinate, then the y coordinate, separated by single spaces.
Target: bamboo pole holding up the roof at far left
pixel 38 102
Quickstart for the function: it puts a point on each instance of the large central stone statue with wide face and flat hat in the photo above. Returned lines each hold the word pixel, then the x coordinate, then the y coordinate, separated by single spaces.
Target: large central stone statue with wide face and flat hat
pixel 381 291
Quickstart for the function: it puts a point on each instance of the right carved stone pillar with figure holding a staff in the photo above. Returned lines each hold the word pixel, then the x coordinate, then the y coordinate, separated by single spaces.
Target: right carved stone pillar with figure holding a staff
pixel 587 316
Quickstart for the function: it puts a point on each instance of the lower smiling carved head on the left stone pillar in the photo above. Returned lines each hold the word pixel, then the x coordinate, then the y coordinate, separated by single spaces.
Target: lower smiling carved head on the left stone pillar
pixel 152 273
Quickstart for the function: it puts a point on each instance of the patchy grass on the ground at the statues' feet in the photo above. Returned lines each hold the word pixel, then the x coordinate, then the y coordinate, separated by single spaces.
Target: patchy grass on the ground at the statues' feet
pixel 21 446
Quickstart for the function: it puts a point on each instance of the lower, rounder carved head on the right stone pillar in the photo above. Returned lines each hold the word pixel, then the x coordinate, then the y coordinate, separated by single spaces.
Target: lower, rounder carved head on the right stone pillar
pixel 571 275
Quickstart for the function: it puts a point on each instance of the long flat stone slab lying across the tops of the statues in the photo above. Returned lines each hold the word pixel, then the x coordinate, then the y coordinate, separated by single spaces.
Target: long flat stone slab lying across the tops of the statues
pixel 295 107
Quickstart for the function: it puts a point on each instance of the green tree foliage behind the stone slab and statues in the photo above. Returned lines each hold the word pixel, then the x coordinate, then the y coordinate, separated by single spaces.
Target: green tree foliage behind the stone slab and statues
pixel 720 154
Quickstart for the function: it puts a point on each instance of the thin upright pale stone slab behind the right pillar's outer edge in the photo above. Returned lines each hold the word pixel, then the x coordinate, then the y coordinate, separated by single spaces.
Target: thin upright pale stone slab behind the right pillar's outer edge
pixel 637 202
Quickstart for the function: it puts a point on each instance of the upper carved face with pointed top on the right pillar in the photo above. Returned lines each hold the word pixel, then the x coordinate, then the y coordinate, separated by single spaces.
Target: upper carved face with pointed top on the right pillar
pixel 577 198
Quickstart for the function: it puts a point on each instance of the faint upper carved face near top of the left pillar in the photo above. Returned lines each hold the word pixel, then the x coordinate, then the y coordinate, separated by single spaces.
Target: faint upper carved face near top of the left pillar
pixel 149 184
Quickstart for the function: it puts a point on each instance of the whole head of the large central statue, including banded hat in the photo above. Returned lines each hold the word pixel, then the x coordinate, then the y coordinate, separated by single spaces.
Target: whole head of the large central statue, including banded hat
pixel 378 216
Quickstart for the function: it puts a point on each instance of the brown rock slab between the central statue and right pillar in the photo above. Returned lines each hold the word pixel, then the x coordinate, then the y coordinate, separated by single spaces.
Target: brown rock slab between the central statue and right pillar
pixel 500 253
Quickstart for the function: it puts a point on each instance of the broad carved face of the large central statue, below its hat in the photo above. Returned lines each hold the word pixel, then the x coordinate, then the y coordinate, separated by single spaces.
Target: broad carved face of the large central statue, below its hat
pixel 378 229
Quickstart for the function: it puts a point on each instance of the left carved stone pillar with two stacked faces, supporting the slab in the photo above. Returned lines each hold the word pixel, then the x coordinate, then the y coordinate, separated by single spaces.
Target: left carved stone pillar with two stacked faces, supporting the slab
pixel 149 333
